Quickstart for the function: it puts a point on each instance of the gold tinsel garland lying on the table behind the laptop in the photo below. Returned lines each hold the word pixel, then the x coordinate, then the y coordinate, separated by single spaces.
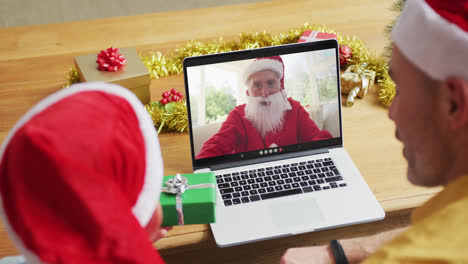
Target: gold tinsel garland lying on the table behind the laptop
pixel 173 116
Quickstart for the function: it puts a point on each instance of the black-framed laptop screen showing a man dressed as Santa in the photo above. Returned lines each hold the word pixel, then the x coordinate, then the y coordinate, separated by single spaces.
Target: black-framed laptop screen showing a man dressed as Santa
pixel 263 102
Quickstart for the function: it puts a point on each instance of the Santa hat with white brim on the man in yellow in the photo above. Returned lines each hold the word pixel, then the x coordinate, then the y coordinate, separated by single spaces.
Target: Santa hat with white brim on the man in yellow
pixel 433 35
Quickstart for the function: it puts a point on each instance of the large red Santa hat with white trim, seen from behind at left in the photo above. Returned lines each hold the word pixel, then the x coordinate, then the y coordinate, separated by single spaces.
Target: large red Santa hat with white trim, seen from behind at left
pixel 80 177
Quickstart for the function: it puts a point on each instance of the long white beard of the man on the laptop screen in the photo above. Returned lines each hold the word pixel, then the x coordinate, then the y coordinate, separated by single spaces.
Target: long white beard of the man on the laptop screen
pixel 267 118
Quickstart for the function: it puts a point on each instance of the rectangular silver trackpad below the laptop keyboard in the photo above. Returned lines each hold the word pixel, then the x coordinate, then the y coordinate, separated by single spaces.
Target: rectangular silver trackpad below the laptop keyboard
pixel 302 212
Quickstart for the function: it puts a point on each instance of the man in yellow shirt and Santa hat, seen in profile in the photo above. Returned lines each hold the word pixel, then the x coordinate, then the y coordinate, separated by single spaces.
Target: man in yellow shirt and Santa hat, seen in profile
pixel 429 66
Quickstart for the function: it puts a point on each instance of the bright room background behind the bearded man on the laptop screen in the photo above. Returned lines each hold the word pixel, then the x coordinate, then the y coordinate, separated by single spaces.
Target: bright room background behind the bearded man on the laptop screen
pixel 310 78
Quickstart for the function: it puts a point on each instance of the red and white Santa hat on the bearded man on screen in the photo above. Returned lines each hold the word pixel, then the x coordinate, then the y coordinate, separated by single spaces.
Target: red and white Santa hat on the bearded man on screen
pixel 273 63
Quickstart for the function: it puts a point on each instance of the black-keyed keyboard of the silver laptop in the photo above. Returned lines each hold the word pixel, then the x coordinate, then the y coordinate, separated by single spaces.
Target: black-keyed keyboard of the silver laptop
pixel 278 181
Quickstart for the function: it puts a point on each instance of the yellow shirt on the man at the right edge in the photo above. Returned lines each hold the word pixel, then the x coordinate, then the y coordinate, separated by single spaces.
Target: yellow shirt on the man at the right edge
pixel 446 233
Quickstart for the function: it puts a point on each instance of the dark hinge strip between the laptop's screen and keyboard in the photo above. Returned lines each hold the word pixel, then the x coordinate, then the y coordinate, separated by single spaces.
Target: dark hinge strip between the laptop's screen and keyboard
pixel 267 159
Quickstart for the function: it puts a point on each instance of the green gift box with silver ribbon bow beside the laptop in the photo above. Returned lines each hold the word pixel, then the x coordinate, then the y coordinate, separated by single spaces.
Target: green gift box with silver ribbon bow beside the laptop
pixel 196 198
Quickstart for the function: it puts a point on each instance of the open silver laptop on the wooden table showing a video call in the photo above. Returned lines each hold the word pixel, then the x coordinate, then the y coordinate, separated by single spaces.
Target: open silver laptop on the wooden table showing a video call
pixel 295 184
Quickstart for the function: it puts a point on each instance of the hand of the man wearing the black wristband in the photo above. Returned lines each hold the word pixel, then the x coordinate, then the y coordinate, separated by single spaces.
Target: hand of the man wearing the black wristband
pixel 306 255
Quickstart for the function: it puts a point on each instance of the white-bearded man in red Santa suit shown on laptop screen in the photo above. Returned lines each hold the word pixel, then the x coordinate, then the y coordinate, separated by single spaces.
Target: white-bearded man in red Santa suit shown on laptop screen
pixel 268 119
